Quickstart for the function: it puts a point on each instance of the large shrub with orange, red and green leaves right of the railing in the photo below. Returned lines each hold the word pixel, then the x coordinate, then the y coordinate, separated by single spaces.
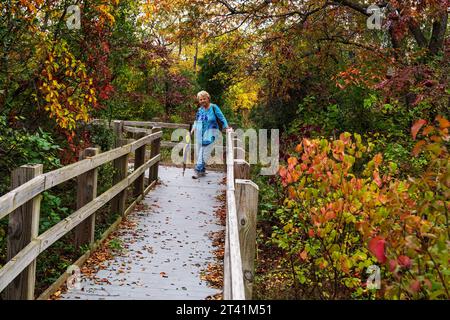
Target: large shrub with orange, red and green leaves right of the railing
pixel 337 221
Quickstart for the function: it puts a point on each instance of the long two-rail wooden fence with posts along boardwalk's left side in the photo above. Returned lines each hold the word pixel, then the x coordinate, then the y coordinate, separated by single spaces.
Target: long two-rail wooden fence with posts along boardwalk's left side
pixel 22 204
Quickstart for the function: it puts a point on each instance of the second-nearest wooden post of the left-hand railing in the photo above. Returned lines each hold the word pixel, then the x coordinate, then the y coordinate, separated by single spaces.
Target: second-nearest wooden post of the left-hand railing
pixel 86 192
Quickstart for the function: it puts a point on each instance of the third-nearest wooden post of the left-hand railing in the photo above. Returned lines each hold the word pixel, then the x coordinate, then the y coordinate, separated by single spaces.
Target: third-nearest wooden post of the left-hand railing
pixel 118 203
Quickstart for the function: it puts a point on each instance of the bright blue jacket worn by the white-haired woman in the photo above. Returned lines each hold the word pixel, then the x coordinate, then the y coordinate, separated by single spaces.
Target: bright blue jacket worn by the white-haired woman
pixel 205 121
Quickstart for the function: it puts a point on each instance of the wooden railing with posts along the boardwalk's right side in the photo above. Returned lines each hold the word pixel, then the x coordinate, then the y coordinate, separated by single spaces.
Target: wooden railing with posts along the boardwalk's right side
pixel 240 234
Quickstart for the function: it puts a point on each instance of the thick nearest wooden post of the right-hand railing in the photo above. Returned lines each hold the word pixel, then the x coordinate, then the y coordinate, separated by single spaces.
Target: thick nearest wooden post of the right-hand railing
pixel 246 193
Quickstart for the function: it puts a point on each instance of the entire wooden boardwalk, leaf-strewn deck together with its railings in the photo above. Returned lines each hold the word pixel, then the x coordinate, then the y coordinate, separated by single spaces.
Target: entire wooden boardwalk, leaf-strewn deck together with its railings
pixel 169 246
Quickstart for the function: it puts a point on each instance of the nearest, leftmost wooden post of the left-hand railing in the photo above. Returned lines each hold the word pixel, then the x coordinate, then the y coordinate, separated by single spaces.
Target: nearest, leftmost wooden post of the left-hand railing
pixel 23 228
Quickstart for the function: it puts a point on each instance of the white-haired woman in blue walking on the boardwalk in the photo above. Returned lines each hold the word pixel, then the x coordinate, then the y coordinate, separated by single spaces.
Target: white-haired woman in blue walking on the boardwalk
pixel 206 127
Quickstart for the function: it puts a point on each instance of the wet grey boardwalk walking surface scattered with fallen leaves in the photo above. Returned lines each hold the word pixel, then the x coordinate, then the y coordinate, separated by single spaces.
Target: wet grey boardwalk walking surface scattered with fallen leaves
pixel 169 247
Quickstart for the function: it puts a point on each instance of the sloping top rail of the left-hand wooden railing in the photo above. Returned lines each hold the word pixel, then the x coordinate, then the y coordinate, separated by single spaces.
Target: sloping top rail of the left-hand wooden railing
pixel 17 197
